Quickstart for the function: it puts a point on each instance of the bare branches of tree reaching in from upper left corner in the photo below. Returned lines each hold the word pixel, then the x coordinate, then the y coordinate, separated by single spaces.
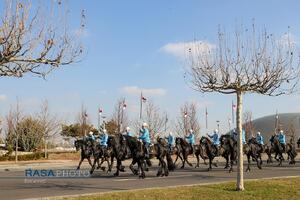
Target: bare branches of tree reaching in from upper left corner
pixel 35 38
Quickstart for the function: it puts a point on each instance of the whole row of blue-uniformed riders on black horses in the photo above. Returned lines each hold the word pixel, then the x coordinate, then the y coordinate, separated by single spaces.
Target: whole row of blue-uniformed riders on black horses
pixel 126 146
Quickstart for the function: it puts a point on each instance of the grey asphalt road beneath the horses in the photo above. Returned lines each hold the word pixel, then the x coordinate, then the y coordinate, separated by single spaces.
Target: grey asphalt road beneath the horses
pixel 14 184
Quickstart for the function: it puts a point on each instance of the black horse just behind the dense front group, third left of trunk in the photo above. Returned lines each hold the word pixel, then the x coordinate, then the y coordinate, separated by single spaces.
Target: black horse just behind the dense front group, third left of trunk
pixel 183 150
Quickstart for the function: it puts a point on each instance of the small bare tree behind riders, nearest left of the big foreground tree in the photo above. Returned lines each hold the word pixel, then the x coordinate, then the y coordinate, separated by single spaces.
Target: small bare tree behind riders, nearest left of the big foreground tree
pixel 188 119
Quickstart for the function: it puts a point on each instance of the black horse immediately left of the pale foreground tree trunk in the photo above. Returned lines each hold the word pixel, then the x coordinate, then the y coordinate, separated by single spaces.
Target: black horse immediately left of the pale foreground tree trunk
pixel 229 150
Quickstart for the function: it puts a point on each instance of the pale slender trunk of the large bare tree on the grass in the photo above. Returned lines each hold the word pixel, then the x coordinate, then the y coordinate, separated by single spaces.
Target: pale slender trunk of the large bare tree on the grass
pixel 239 111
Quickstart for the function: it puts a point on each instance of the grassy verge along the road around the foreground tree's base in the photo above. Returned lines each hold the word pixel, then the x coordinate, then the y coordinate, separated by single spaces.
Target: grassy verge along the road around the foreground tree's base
pixel 264 189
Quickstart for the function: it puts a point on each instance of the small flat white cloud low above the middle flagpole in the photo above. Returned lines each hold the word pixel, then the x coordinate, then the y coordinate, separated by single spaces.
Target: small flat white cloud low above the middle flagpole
pixel 135 90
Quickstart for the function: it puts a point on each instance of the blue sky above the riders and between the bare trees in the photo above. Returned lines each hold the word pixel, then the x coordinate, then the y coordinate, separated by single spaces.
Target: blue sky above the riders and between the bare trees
pixel 125 42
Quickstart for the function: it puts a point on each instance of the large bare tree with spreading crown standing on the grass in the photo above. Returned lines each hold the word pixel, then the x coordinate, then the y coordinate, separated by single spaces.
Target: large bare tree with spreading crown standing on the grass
pixel 247 63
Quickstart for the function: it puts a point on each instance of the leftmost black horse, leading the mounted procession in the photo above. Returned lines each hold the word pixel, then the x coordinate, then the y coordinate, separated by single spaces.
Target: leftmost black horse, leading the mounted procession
pixel 85 145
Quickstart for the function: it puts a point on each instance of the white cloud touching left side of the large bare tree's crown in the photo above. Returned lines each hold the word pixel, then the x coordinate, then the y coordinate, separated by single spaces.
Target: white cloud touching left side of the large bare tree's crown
pixel 182 49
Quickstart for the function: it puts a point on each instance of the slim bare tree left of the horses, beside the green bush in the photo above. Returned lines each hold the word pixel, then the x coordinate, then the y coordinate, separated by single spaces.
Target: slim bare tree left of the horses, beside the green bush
pixel 49 123
